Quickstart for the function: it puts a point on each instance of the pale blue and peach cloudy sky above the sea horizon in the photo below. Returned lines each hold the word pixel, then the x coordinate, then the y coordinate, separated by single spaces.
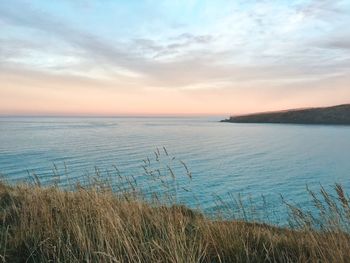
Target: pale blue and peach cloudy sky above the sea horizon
pixel 176 57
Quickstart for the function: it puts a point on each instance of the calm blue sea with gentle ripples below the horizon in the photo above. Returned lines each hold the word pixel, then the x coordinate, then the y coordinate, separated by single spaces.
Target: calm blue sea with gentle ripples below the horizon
pixel 224 158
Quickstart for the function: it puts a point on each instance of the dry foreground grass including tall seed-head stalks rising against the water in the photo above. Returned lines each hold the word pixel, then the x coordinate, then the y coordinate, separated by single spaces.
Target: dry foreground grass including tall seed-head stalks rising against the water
pixel 104 219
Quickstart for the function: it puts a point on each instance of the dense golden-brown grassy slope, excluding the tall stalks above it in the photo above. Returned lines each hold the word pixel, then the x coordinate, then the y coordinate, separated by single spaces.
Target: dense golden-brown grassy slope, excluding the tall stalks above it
pixel 86 225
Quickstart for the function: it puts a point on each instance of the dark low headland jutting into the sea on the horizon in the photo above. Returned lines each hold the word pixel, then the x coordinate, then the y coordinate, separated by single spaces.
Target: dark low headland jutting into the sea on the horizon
pixel 336 115
